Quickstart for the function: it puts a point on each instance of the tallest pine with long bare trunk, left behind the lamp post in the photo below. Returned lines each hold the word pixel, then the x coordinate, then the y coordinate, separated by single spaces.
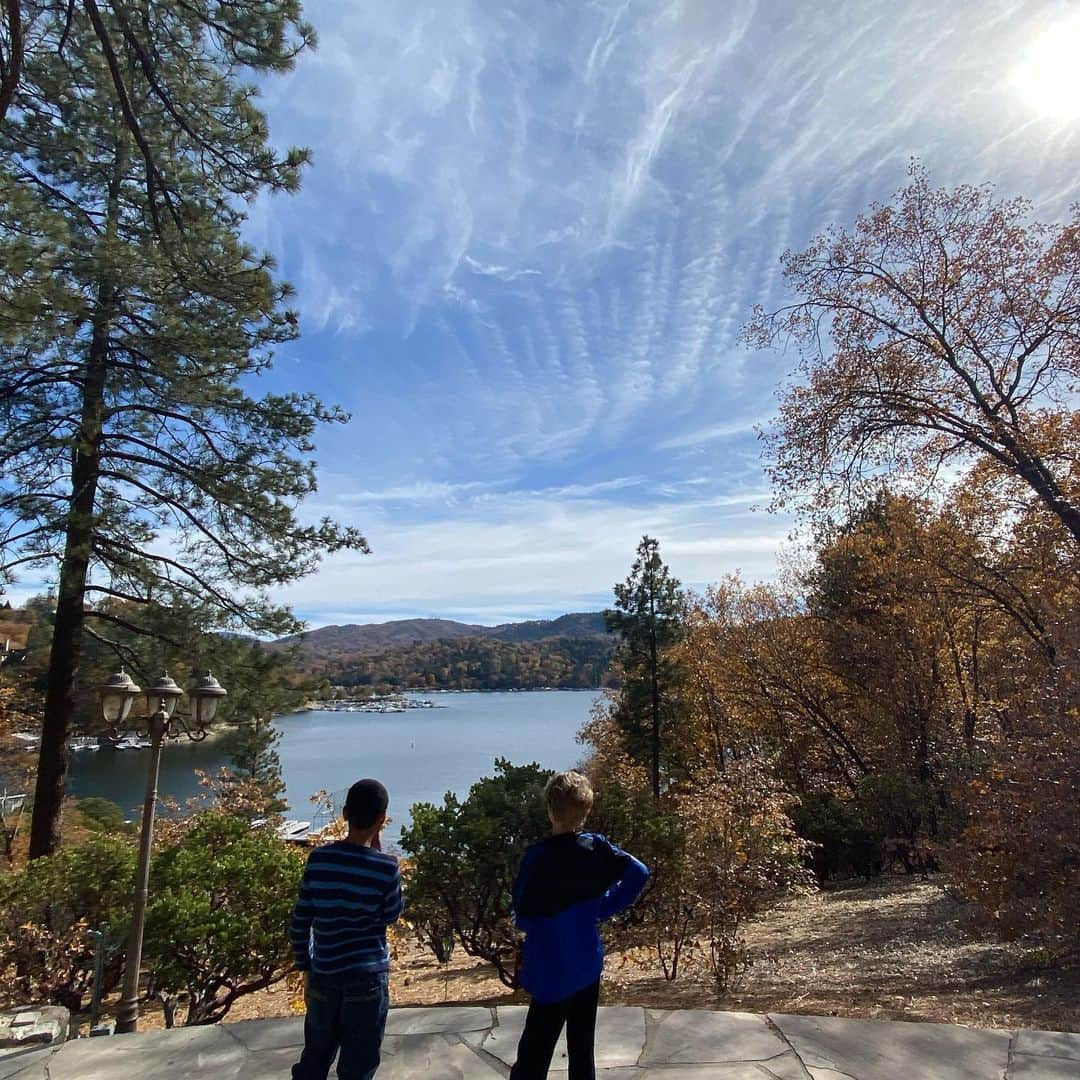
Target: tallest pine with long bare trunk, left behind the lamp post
pixel 138 464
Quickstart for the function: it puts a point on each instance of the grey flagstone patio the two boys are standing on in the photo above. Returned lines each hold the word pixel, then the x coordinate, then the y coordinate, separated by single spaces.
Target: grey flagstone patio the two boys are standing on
pixel 478 1044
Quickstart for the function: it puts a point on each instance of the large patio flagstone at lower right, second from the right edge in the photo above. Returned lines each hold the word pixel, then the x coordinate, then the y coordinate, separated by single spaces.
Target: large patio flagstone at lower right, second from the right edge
pixel 893 1050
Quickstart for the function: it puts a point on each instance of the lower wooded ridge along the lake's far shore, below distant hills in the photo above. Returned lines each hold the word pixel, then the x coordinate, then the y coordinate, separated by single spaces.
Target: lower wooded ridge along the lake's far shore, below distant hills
pixel 476 664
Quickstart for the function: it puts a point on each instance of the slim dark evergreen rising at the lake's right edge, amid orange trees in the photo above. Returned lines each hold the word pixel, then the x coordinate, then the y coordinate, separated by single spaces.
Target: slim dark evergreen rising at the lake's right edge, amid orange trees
pixel 650 618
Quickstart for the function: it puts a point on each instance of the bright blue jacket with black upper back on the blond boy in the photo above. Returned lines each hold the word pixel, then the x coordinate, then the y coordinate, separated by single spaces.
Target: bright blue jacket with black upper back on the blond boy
pixel 566 886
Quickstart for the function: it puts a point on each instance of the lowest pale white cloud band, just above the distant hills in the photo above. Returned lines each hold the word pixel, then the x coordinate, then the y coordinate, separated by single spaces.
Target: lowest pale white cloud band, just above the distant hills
pixel 520 555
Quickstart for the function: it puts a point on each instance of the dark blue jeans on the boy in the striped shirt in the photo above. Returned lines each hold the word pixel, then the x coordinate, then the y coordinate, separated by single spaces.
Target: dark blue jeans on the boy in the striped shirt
pixel 347 1014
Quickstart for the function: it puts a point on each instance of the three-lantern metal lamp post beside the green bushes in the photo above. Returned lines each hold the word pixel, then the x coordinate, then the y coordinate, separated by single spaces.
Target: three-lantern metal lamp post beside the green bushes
pixel 161 722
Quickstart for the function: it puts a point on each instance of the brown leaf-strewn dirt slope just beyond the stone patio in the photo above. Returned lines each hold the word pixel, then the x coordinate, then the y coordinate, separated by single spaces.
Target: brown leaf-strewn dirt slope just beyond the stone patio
pixel 898 949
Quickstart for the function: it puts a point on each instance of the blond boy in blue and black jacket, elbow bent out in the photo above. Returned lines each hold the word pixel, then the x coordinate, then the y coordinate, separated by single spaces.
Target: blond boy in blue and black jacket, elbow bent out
pixel 566 886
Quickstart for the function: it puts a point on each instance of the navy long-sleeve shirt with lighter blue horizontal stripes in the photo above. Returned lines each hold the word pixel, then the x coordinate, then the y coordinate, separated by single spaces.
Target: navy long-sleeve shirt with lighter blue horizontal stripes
pixel 348 898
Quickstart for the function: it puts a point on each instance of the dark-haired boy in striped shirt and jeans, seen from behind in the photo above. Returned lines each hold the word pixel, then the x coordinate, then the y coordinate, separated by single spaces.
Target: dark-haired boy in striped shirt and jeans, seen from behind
pixel 350 894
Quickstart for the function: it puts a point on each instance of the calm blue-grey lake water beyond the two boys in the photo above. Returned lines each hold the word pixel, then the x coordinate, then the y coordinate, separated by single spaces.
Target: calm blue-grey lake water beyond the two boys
pixel 420 754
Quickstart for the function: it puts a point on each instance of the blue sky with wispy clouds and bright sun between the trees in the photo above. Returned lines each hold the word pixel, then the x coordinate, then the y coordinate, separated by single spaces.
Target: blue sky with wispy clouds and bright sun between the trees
pixel 531 237
